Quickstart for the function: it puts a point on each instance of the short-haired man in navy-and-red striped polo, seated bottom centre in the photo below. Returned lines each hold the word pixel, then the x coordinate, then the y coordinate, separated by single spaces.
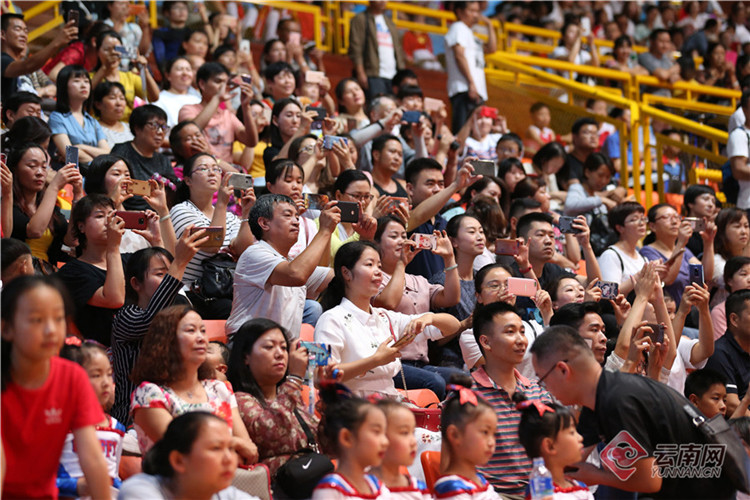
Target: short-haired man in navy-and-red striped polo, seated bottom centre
pixel 499 332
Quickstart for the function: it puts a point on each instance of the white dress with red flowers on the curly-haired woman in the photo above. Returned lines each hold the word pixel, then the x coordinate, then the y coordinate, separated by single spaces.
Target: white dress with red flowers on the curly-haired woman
pixel 221 402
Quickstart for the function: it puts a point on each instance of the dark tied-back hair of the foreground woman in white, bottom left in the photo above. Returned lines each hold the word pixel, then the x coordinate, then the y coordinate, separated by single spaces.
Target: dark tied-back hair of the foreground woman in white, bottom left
pixel 180 436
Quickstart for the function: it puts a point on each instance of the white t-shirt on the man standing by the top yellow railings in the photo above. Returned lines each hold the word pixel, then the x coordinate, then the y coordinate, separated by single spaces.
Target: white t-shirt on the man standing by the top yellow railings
pixel 460 34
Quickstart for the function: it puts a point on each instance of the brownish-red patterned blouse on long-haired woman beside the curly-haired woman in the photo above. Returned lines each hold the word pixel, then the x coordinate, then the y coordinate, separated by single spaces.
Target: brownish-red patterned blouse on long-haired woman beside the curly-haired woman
pixel 274 428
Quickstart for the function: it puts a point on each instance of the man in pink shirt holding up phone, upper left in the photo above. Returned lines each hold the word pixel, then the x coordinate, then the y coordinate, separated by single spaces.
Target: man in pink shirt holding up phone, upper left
pixel 219 123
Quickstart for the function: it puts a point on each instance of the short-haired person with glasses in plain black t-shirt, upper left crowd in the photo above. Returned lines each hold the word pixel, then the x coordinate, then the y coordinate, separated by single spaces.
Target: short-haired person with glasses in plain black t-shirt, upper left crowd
pixel 148 124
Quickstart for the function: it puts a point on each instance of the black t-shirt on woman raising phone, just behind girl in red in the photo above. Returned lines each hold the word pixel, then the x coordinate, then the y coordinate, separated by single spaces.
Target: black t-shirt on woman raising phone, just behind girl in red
pixel 83 280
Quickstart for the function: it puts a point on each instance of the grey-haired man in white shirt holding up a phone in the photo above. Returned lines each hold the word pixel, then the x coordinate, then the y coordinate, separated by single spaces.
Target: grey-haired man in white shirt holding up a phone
pixel 267 283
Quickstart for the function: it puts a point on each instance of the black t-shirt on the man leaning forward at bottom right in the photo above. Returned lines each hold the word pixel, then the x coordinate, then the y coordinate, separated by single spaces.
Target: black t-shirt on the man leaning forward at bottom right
pixel 653 415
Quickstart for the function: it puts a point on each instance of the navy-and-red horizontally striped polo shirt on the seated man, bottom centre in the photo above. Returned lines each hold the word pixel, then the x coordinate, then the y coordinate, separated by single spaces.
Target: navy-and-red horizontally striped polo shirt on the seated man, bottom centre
pixel 508 469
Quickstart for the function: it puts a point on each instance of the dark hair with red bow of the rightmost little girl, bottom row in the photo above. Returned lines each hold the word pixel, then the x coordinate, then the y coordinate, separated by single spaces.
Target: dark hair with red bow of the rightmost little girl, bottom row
pixel 540 421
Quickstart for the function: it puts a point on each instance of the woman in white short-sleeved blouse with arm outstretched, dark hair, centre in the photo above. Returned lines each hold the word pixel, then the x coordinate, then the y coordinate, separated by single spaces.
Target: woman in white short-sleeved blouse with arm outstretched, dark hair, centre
pixel 361 336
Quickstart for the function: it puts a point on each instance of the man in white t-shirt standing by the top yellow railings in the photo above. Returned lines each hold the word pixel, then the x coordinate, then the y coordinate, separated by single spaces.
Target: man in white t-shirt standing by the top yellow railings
pixel 464 59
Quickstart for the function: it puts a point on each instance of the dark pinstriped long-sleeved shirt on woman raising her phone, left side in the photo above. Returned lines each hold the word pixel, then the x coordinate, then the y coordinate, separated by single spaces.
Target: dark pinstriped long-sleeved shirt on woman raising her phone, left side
pixel 128 330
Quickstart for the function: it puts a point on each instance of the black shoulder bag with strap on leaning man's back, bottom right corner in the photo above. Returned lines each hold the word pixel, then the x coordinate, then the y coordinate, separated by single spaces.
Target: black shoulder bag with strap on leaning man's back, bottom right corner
pixel 716 430
